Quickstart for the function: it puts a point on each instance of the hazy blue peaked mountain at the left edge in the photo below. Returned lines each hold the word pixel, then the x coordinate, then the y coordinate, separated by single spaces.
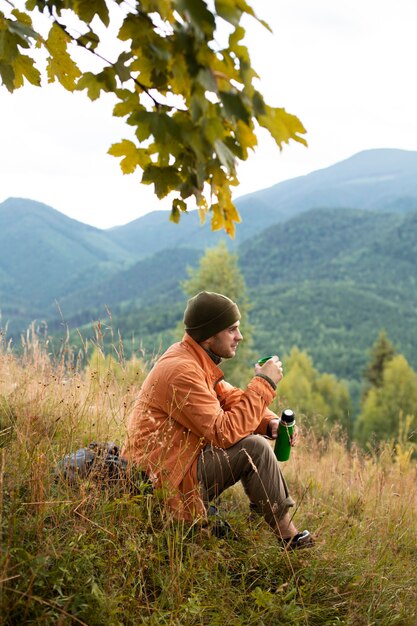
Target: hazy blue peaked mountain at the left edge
pixel 44 254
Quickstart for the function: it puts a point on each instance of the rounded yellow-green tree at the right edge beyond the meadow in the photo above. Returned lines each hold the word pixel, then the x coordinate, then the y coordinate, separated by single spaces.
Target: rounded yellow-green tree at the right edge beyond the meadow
pixel 386 405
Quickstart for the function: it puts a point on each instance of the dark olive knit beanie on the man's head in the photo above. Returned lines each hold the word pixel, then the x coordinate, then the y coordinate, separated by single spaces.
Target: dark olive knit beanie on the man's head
pixel 209 313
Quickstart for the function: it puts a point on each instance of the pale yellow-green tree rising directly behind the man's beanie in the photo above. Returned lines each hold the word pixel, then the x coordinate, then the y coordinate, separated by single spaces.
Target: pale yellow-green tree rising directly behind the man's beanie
pixel 218 271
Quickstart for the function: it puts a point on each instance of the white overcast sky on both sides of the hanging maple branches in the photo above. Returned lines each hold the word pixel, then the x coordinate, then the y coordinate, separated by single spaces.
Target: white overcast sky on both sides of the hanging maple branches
pixel 346 68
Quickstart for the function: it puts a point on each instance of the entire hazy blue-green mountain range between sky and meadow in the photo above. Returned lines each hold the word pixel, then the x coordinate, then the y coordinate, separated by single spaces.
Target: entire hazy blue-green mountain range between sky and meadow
pixel 329 258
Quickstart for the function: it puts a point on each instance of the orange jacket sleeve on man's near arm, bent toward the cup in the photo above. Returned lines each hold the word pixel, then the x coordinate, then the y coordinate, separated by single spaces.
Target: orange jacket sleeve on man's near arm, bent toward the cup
pixel 220 420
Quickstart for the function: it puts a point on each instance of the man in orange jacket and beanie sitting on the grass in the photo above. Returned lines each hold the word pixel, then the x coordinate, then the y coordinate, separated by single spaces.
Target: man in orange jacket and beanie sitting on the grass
pixel 196 435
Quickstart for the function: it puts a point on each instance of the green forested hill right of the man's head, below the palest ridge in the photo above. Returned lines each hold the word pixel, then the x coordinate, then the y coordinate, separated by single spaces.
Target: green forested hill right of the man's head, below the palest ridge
pixel 330 280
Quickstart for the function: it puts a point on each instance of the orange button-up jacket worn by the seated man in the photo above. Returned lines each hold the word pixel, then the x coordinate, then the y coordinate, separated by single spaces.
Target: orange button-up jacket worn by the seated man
pixel 185 403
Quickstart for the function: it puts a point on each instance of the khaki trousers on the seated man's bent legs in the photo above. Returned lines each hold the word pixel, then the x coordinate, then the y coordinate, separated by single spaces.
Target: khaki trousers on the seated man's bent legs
pixel 253 462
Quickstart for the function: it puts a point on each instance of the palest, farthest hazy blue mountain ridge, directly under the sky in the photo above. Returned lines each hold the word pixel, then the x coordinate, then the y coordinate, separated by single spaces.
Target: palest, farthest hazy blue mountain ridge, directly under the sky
pixel 380 179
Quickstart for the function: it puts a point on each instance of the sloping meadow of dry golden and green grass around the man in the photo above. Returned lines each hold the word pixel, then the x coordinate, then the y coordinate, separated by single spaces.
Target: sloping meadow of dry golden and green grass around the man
pixel 99 554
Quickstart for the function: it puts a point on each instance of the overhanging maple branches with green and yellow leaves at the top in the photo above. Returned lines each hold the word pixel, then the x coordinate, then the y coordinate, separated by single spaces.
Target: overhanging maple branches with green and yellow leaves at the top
pixel 190 100
